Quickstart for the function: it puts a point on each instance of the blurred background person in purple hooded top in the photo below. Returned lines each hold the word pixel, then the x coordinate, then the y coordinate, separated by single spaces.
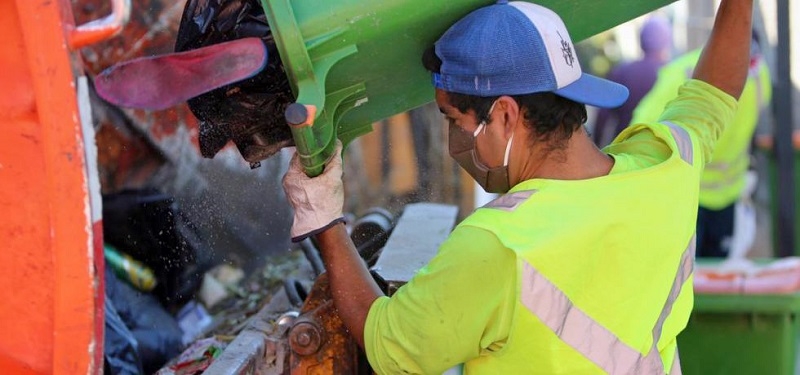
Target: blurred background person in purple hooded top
pixel 655 40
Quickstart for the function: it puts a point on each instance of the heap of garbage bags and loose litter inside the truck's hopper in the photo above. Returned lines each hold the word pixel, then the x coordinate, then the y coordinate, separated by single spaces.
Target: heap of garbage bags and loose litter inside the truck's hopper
pixel 163 294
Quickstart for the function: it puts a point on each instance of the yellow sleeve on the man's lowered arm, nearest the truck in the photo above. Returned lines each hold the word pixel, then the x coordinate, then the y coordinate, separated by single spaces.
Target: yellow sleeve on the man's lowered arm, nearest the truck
pixel 454 309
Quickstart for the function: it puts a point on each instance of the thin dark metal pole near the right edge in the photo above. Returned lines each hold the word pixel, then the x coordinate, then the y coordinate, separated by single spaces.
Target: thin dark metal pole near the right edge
pixel 784 151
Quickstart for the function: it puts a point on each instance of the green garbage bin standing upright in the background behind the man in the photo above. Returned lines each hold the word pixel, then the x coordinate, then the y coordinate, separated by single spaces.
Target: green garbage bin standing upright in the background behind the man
pixel 740 334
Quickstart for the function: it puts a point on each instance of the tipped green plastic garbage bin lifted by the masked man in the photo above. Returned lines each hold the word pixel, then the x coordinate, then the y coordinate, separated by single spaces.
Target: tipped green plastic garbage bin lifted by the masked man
pixel 354 62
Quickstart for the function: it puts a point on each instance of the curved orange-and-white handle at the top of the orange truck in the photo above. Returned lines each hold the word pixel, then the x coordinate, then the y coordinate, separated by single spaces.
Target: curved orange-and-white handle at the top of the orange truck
pixel 101 29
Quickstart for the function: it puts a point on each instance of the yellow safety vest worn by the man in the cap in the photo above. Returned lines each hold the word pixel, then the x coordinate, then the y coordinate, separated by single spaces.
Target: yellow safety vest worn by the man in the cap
pixel 604 267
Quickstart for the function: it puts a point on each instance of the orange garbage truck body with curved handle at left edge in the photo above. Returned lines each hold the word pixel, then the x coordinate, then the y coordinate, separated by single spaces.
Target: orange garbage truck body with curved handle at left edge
pixel 51 314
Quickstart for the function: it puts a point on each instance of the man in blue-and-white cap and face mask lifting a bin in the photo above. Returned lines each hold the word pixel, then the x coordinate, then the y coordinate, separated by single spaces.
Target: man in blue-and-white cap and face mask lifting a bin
pixel 583 265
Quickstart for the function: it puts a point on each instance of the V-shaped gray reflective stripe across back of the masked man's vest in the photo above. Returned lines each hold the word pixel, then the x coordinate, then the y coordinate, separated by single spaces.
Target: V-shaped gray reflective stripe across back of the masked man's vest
pixel 588 337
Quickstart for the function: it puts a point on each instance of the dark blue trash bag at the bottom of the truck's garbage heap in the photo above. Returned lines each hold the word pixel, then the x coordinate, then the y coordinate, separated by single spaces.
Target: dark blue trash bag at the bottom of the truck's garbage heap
pixel 156 333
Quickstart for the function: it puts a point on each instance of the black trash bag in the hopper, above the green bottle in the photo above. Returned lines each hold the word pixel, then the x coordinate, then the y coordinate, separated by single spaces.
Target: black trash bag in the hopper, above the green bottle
pixel 148 226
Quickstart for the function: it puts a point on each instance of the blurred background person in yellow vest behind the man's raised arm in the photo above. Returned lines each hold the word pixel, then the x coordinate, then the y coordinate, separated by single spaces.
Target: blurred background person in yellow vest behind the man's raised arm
pixel 725 180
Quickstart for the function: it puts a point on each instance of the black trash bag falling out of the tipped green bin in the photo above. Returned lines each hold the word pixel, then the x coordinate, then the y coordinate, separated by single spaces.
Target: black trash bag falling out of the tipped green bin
pixel 249 112
